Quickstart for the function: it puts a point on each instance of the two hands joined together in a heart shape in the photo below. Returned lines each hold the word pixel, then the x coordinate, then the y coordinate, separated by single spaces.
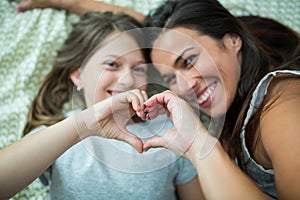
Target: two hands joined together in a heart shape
pixel 109 119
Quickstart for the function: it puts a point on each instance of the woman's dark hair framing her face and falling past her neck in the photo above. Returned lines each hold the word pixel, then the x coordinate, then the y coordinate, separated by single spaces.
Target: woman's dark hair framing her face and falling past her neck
pixel 209 17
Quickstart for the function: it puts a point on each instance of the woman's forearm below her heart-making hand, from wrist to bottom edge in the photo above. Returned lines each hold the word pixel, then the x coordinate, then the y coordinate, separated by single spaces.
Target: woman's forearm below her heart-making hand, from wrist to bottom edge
pixel 219 177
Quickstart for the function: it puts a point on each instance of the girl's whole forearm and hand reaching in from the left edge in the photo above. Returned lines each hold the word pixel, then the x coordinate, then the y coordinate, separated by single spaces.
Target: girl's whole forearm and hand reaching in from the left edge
pixel 26 159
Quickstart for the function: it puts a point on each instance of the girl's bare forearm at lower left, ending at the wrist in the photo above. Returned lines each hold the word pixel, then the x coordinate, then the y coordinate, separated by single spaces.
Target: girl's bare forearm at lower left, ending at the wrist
pixel 23 161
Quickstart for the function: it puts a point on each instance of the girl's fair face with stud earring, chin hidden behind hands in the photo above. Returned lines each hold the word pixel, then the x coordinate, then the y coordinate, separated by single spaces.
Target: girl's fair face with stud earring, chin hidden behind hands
pixel 117 66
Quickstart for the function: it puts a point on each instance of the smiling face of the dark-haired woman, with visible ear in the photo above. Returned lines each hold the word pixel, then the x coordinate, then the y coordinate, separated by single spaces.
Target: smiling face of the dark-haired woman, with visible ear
pixel 199 68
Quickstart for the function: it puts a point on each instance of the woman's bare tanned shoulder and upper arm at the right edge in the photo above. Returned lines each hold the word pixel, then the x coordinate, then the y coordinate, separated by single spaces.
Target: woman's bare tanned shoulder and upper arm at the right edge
pixel 279 124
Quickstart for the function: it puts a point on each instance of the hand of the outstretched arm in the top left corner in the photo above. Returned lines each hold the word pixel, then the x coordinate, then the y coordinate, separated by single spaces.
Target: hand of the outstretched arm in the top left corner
pixel 31 4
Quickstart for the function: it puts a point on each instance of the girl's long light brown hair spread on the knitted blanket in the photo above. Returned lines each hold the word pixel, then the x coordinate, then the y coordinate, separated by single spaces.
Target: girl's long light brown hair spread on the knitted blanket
pixel 57 87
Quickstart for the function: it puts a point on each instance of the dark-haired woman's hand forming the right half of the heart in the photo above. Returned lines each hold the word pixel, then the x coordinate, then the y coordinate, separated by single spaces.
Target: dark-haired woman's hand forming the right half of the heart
pixel 187 126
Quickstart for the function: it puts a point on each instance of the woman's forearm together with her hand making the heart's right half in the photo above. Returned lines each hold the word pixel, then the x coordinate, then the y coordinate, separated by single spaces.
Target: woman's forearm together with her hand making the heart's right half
pixel 218 176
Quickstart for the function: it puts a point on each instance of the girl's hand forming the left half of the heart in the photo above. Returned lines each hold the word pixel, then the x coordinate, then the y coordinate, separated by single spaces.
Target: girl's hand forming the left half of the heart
pixel 109 117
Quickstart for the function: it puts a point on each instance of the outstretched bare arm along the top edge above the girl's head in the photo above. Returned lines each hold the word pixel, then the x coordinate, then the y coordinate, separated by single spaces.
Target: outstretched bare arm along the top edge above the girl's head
pixel 79 7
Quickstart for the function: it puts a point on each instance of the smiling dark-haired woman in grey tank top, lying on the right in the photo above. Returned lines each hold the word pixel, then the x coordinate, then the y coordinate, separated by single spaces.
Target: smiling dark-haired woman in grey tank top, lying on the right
pixel 217 67
